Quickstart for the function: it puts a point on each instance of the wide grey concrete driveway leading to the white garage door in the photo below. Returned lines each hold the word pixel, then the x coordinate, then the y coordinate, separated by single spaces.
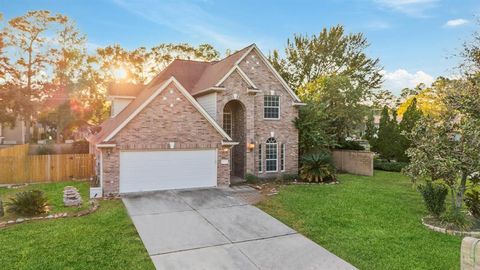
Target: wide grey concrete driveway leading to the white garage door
pixel 210 229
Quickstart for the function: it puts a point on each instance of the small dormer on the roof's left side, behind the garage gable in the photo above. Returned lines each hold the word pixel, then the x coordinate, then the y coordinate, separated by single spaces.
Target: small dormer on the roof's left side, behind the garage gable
pixel 121 94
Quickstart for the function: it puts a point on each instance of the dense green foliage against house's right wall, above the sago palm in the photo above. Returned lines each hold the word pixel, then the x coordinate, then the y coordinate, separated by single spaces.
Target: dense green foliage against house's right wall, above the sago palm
pixel 310 125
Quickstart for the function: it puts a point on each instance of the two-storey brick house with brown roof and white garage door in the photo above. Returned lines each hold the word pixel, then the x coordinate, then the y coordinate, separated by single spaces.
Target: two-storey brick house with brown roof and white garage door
pixel 197 124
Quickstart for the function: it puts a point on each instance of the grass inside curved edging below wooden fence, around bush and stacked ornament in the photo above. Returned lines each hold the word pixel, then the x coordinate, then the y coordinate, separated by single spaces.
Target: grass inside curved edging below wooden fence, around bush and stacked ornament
pixel 54 194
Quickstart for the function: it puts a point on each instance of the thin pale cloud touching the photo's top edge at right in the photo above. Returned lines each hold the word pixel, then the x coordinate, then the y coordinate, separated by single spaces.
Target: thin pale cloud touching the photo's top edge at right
pixel 415 8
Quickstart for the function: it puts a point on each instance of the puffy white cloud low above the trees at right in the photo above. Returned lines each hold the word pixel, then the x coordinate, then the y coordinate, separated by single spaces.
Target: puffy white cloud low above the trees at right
pixel 397 80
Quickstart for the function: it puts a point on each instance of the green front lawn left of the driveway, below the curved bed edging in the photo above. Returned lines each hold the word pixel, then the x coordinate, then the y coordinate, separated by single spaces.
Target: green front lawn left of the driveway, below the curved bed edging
pixel 105 239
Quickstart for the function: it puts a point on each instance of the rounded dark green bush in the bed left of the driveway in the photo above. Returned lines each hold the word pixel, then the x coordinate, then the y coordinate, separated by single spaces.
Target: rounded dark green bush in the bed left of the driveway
pixel 28 203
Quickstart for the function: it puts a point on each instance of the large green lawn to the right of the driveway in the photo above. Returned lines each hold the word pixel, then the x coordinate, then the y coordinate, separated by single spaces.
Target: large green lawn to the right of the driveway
pixel 371 222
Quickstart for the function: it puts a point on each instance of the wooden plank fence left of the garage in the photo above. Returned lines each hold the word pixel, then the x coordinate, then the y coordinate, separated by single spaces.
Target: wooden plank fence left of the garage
pixel 16 166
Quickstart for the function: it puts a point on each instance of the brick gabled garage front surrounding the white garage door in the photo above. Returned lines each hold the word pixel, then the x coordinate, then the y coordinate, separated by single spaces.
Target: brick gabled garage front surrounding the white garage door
pixel 170 117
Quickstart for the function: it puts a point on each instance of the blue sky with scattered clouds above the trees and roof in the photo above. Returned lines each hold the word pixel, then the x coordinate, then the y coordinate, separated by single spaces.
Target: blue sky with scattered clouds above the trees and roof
pixel 415 40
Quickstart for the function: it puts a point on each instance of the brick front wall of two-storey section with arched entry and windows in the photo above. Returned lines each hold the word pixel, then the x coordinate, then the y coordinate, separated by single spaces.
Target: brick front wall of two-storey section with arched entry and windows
pixel 258 129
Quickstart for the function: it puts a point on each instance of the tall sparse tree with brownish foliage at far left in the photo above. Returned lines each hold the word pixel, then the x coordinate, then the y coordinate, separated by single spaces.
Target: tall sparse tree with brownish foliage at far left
pixel 27 35
